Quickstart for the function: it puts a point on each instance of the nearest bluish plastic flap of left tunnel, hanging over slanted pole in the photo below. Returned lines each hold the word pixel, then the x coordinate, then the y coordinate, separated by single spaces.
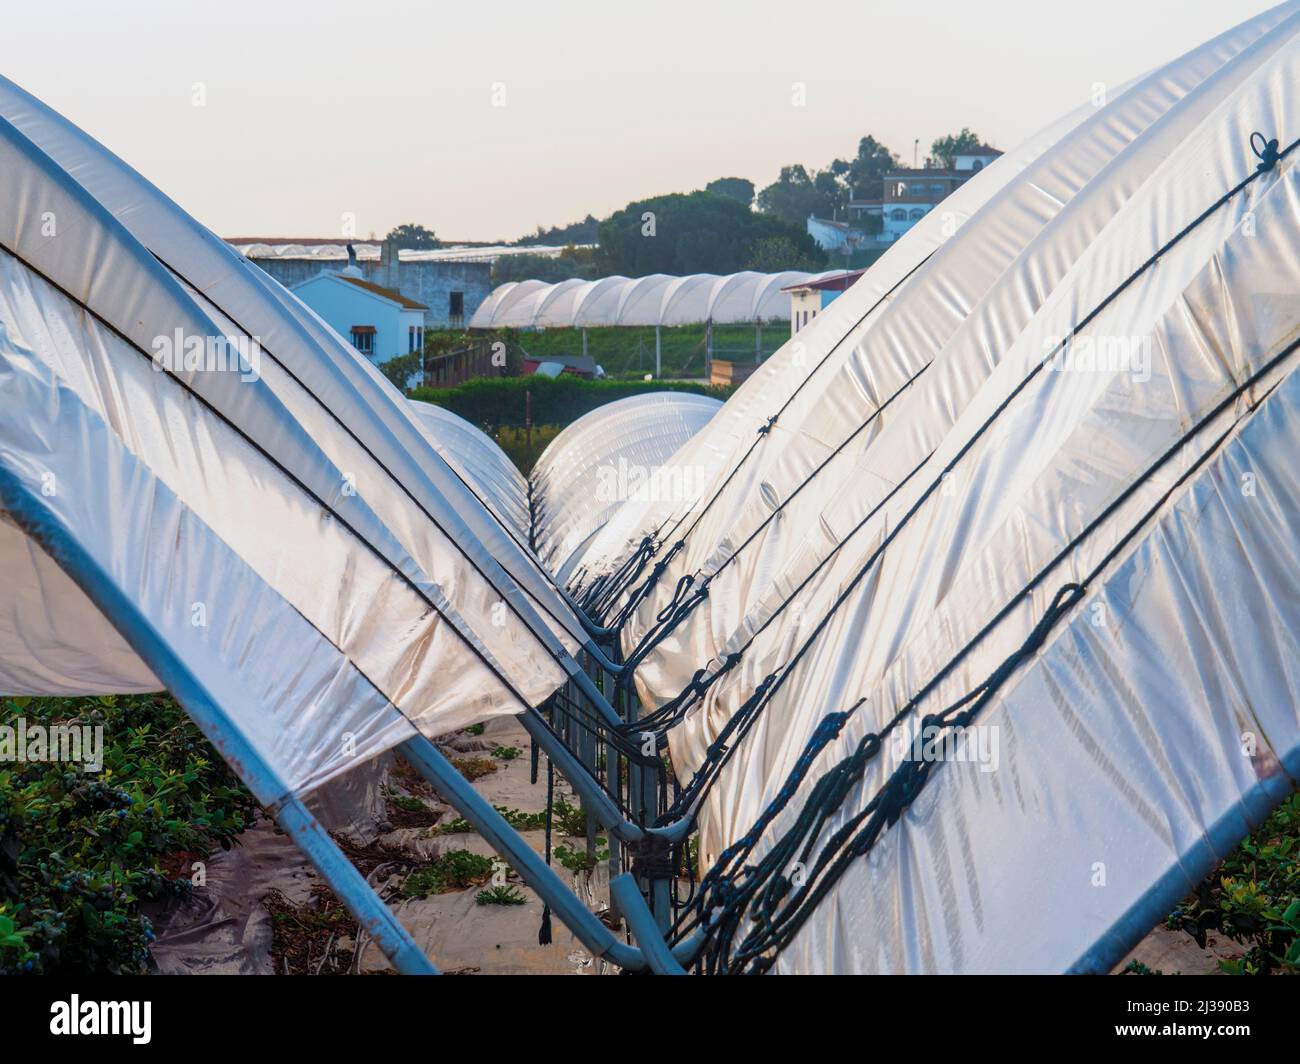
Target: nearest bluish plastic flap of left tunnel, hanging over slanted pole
pixel 293 695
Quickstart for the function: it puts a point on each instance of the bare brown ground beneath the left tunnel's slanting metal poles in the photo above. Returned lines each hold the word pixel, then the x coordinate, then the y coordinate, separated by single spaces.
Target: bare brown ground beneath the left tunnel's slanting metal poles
pixel 265 910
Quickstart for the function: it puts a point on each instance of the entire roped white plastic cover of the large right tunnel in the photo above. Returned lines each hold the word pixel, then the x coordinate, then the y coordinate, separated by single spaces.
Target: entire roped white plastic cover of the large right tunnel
pixel 1160 717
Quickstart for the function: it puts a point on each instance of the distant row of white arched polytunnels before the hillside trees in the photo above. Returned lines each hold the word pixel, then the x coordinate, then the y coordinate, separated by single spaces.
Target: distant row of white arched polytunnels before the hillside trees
pixel 658 300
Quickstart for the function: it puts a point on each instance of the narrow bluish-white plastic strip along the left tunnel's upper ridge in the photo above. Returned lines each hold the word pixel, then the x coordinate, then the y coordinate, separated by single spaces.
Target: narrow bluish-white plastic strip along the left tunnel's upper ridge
pixel 343 400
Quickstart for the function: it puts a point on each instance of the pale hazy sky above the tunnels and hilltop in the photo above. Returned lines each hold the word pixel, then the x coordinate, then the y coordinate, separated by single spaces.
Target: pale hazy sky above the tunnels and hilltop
pixel 387 110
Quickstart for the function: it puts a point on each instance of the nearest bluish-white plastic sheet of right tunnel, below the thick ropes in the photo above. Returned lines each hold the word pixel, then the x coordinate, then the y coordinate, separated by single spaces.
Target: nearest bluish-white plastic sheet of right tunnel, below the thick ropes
pixel 1133 756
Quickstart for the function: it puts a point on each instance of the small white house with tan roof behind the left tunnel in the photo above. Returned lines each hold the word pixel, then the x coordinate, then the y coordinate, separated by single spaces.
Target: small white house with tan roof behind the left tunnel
pixel 380 323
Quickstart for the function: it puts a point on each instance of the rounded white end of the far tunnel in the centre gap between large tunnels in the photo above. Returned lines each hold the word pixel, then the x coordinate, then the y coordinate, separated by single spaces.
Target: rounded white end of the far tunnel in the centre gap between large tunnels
pixel 613 462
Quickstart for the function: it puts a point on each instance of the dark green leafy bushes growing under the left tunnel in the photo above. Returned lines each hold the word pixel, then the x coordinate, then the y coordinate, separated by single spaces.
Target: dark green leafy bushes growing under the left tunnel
pixel 80 853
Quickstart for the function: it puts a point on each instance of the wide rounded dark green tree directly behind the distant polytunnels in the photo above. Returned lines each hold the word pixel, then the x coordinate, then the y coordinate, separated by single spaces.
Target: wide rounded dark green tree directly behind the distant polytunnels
pixel 696 233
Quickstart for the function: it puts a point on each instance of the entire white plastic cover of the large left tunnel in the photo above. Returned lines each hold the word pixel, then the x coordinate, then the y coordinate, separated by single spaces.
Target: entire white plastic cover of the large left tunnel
pixel 283 542
